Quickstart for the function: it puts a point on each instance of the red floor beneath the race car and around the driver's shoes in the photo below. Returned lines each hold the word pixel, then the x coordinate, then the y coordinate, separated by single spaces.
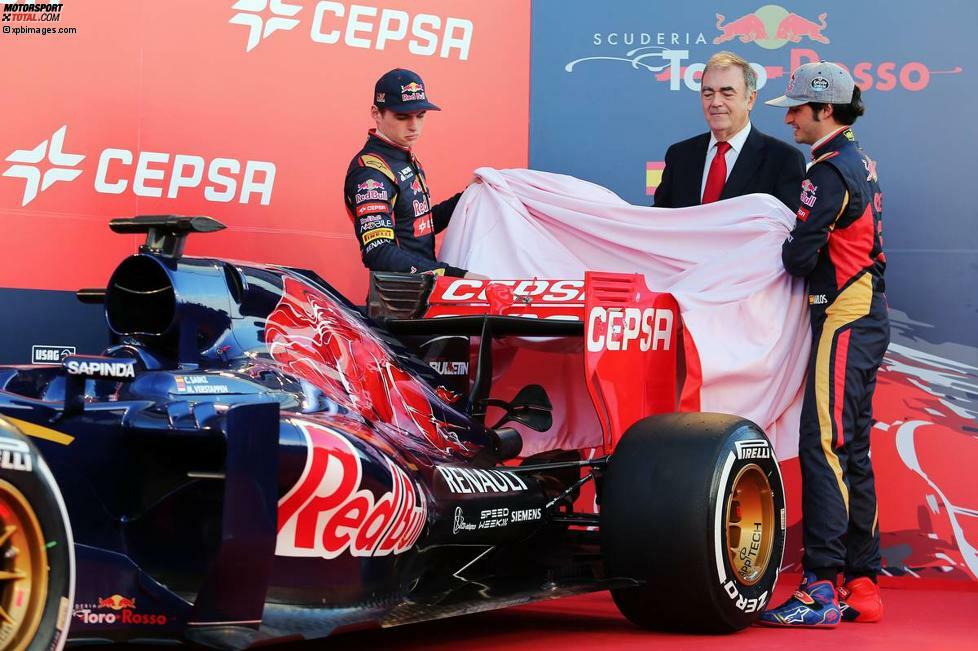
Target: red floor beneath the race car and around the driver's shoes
pixel 936 617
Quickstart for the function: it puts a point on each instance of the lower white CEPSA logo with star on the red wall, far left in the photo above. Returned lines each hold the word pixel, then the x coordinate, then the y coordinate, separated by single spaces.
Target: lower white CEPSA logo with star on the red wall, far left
pixel 143 173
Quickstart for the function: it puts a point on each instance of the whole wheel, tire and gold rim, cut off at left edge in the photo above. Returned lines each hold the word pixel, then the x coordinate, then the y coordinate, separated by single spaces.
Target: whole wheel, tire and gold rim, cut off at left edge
pixel 37 562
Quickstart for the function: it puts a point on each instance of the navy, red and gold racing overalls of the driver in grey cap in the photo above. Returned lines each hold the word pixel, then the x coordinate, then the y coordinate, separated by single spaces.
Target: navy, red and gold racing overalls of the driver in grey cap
pixel 837 245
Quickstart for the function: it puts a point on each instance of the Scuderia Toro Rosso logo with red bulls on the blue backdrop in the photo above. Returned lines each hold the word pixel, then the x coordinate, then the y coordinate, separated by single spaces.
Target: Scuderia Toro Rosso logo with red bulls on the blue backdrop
pixel 667 57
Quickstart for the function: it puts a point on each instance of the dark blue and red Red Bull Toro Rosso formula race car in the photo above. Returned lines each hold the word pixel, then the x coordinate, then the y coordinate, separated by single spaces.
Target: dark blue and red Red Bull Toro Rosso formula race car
pixel 254 457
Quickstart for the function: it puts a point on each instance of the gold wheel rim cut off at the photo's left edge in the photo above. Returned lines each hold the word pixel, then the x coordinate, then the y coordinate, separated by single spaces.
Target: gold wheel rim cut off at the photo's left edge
pixel 23 570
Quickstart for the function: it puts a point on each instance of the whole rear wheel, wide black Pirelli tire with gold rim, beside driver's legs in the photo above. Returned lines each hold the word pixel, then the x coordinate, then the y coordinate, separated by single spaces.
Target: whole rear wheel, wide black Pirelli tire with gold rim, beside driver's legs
pixel 692 508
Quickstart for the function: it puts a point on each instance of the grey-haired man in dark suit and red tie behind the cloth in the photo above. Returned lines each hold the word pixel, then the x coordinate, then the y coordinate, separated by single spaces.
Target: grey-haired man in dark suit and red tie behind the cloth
pixel 733 158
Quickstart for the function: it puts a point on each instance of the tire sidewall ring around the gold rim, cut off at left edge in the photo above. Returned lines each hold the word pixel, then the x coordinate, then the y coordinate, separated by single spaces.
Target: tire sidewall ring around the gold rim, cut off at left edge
pixel 42 494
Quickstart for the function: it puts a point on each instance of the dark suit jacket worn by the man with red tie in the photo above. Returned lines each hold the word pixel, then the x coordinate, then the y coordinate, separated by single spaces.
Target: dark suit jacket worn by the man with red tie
pixel 765 164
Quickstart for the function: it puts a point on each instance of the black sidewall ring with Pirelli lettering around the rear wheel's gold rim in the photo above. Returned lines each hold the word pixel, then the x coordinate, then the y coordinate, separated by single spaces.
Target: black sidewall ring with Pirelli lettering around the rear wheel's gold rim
pixel 745 446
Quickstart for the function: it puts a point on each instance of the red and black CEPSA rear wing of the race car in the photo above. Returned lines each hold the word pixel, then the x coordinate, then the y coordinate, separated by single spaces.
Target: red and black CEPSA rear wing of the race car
pixel 633 353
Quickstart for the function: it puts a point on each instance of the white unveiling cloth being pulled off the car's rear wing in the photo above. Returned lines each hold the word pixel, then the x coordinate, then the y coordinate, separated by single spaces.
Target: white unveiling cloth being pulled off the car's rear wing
pixel 722 261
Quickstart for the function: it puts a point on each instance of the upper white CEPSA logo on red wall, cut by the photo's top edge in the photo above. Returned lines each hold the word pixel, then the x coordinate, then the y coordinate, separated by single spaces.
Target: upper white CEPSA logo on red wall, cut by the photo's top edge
pixel 358 26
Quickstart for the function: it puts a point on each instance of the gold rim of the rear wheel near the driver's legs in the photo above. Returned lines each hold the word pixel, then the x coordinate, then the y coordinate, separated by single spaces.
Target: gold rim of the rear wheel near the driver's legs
pixel 750 524
